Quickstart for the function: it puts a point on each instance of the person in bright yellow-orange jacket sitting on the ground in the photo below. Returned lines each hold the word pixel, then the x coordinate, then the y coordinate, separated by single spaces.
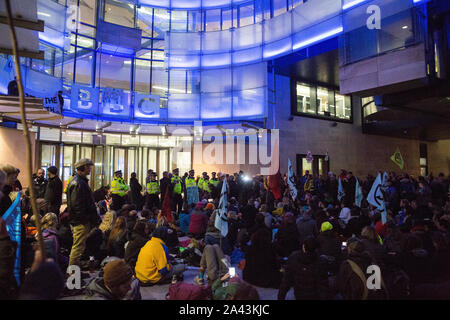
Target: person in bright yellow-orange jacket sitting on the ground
pixel 153 264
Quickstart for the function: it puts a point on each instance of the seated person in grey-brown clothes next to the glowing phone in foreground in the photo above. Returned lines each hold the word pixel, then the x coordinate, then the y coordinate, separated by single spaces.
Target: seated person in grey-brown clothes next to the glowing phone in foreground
pixel 214 261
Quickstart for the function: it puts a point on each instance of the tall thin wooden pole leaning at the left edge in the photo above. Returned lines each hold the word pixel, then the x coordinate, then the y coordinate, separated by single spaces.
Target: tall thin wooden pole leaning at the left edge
pixel 25 128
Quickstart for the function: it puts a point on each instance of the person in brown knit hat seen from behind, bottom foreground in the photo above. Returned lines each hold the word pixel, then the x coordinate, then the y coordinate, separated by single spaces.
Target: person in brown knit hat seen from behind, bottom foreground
pixel 117 283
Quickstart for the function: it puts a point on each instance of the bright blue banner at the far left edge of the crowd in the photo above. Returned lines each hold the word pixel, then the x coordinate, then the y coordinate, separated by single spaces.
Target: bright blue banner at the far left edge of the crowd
pixel 13 220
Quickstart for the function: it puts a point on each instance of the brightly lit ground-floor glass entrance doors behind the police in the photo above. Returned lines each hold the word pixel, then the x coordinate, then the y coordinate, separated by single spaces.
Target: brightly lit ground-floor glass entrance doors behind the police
pixel 116 151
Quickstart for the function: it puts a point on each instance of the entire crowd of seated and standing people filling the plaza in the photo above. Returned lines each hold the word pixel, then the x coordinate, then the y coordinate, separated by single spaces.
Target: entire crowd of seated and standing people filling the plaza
pixel 319 246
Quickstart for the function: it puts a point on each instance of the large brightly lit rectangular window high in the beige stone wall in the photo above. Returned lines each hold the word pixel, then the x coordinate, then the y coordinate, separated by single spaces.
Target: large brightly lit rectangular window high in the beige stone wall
pixel 321 102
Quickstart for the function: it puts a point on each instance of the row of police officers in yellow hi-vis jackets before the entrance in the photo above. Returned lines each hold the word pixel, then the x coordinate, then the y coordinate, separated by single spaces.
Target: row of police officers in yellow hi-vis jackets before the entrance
pixel 155 190
